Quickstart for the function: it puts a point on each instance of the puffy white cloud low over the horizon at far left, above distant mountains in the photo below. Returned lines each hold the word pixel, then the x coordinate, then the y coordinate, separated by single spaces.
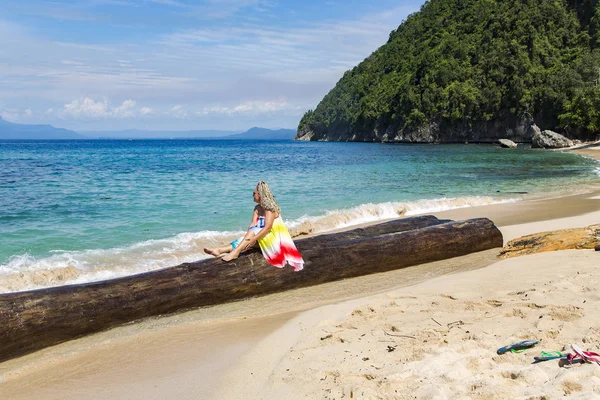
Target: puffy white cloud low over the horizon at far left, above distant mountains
pixel 87 108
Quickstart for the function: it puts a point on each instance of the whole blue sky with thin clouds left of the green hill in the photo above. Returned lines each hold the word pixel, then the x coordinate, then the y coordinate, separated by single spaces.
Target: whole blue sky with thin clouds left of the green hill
pixel 181 64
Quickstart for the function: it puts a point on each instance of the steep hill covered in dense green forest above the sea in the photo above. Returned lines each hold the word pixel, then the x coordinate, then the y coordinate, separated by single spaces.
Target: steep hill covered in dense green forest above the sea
pixel 472 70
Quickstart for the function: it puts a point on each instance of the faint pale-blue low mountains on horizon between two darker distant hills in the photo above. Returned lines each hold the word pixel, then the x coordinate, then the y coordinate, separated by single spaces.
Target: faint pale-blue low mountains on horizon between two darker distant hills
pixel 144 134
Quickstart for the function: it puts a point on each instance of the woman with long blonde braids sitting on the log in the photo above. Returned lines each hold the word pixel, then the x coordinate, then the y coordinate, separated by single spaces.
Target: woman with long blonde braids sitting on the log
pixel 267 228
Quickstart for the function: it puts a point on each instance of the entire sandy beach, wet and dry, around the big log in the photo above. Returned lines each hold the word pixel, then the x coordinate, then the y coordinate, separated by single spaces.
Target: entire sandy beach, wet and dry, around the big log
pixel 429 331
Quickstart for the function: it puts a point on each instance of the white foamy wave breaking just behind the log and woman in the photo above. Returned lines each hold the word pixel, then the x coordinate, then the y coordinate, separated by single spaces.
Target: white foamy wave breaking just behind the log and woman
pixel 25 272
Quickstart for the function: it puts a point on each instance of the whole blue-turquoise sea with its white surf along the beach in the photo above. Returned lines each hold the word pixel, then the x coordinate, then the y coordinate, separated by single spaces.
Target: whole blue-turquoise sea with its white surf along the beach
pixel 85 210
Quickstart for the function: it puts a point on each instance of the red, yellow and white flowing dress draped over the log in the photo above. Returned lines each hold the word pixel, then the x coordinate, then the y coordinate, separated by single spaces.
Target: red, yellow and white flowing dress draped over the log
pixel 278 248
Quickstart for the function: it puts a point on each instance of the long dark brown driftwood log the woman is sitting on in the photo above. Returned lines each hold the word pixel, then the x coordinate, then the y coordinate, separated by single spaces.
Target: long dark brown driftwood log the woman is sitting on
pixel 36 319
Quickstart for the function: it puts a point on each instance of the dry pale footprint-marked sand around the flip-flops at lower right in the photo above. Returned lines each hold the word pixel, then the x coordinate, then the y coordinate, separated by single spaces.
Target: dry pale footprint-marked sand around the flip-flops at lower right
pixel 439 339
